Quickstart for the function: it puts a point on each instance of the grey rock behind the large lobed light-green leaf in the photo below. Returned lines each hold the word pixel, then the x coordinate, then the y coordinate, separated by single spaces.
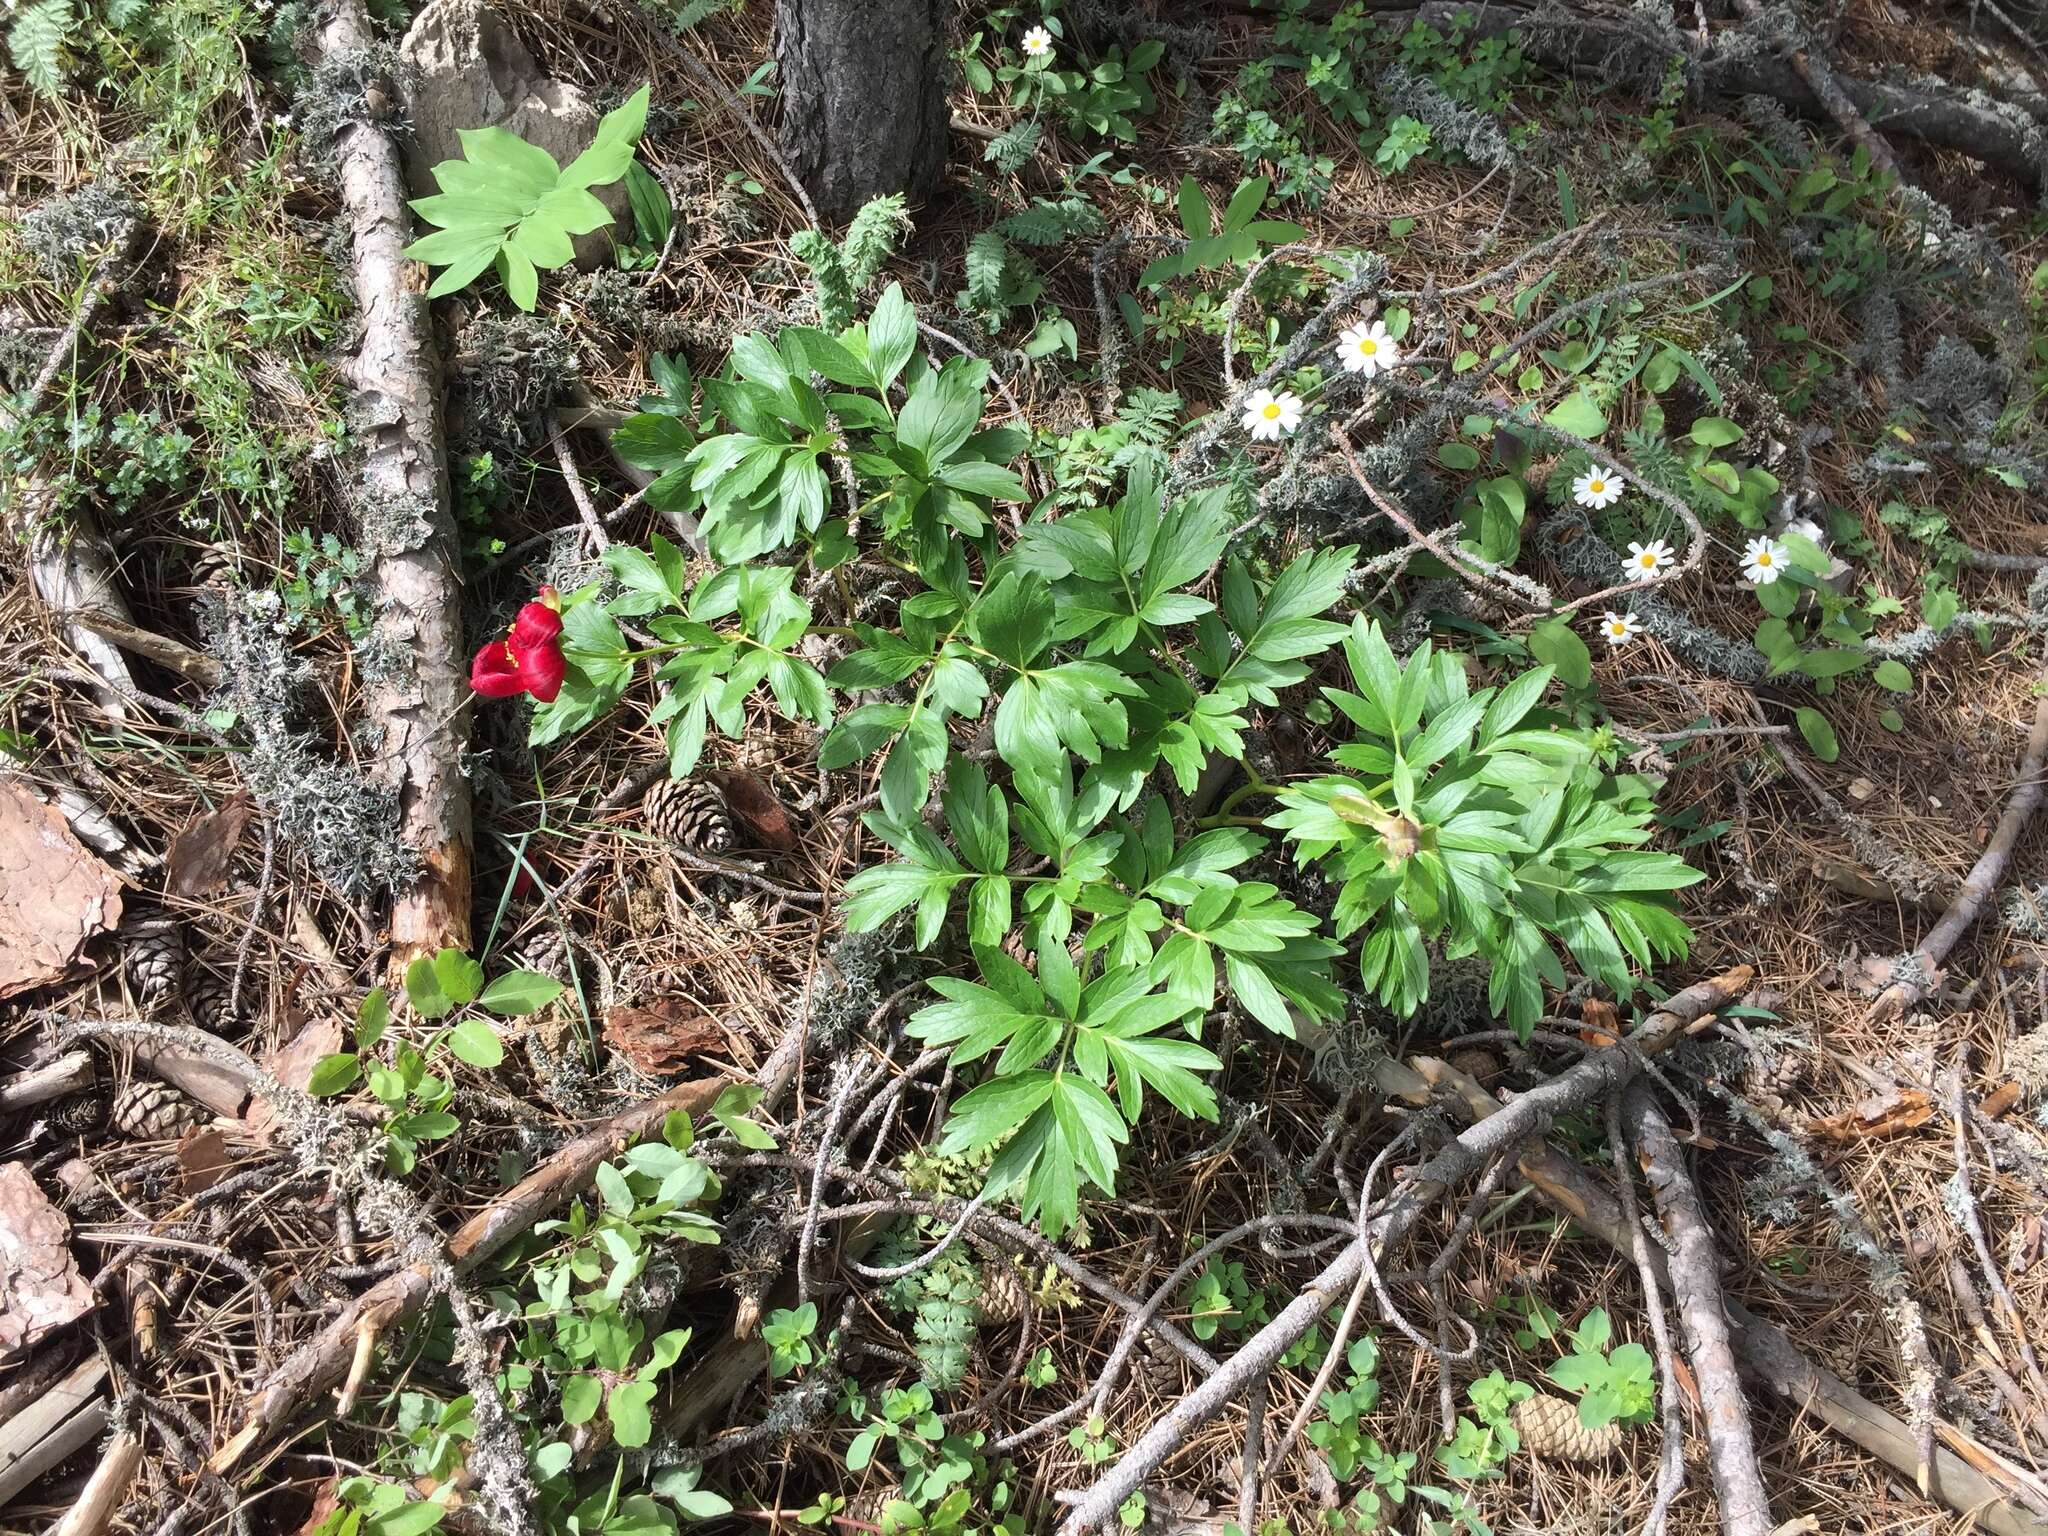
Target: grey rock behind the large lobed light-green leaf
pixel 474 73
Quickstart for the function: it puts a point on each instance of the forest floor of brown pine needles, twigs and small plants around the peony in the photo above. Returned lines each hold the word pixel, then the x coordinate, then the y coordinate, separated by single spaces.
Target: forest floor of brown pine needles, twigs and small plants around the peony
pixel 1758 321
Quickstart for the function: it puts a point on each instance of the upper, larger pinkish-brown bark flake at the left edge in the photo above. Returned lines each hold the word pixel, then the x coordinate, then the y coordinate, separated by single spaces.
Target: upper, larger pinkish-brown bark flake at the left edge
pixel 54 894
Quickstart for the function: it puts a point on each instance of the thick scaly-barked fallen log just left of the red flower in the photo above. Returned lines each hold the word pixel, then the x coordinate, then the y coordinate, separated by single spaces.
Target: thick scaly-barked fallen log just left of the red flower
pixel 419 687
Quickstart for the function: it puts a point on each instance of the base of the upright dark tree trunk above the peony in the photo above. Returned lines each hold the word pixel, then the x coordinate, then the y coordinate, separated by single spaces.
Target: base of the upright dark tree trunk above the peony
pixel 863 99
